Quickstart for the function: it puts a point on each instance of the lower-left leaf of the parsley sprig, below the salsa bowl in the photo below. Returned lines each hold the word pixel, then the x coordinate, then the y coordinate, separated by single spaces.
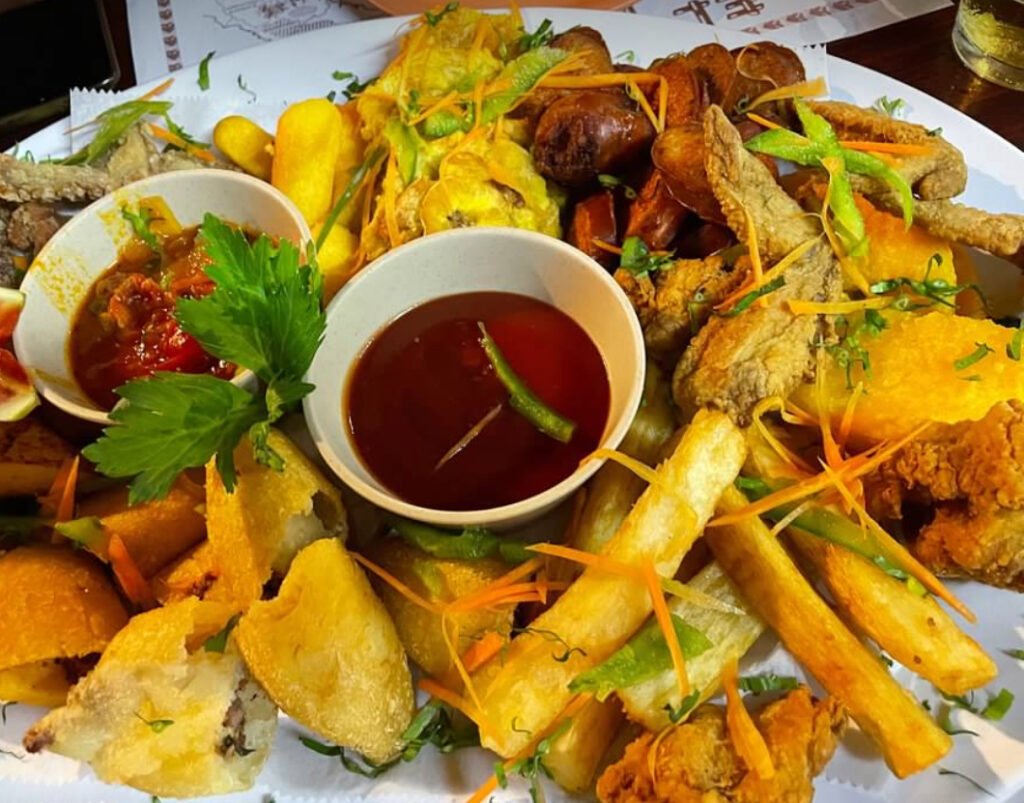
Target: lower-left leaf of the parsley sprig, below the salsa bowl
pixel 173 422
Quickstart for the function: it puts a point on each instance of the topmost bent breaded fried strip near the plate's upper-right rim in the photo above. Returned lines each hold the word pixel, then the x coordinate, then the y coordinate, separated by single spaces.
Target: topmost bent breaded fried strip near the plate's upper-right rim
pixel 940 175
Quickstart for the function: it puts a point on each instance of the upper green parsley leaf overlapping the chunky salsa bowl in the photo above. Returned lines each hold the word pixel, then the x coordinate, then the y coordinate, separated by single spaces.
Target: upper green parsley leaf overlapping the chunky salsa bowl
pixel 265 313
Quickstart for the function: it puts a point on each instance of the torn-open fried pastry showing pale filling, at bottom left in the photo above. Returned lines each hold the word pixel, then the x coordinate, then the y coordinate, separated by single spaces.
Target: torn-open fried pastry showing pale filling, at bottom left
pixel 164 712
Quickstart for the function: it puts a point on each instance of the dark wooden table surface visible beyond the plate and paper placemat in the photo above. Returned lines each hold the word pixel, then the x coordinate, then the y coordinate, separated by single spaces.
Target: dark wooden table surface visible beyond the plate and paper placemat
pixel 917 52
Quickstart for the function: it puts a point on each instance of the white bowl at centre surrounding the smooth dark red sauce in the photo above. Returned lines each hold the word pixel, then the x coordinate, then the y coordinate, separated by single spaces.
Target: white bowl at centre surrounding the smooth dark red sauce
pixel 471 261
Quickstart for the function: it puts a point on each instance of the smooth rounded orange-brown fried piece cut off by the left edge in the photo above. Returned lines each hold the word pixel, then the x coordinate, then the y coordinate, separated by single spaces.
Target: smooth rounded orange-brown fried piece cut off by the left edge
pixel 58 605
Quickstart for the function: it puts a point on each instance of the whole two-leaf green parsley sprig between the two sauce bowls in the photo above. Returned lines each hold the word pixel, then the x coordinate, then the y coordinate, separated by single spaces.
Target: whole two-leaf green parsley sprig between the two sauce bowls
pixel 265 315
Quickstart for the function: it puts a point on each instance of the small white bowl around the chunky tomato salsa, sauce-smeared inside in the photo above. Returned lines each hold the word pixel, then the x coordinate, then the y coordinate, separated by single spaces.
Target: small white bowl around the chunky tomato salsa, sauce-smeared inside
pixel 61 277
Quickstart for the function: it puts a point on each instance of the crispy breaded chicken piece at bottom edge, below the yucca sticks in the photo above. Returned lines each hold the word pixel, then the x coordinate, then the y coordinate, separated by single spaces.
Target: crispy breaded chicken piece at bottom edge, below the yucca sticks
pixel 697 763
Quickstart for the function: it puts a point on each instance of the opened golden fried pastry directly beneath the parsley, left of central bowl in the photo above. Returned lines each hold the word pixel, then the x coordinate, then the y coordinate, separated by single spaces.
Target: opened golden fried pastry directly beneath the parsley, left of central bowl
pixel 259 529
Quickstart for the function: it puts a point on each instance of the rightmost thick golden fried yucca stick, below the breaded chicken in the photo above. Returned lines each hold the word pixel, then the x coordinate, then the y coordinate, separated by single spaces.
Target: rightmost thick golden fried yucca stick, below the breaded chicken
pixel 914 629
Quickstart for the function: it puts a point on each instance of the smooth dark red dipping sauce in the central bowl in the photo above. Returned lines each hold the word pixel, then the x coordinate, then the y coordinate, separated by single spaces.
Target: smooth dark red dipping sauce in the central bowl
pixel 424 382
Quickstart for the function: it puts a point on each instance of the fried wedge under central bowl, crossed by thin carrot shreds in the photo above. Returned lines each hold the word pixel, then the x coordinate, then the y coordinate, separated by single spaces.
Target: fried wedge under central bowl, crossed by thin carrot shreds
pixel 440 581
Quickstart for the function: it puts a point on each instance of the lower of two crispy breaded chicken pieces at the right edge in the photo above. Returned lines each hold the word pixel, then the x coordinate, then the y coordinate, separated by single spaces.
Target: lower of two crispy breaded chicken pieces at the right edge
pixel 988 546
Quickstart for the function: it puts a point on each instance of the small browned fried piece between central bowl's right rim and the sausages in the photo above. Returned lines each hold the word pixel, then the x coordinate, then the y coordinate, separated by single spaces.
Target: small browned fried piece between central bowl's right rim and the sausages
pixel 674 304
